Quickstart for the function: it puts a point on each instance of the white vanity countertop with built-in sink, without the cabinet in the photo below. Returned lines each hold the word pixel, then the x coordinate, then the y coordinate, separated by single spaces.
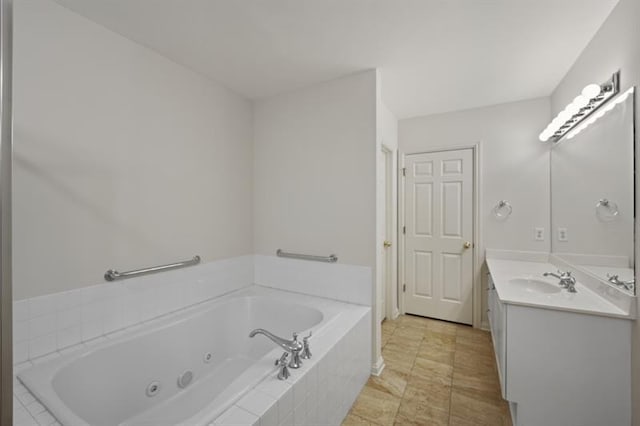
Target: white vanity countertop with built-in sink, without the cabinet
pixel 583 301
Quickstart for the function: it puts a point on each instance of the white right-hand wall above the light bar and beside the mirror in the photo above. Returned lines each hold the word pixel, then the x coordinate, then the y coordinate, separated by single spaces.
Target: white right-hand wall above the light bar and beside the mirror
pixel 615 46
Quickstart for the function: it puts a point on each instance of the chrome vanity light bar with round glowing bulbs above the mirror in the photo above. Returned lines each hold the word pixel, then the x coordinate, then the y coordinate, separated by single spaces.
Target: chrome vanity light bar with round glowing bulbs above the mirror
pixel 580 112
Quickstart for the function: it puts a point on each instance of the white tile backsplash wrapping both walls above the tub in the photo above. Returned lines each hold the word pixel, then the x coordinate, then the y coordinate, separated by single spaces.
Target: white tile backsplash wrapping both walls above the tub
pixel 45 324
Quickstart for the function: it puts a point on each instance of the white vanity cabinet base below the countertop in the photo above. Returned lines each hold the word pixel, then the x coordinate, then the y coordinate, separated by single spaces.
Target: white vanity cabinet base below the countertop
pixel 559 367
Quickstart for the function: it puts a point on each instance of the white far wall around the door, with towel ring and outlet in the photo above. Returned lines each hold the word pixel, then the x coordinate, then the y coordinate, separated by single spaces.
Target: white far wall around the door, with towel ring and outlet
pixel 514 166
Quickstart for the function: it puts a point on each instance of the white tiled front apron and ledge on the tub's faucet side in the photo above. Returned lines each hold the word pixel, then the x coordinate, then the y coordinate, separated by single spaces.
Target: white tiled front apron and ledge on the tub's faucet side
pixel 322 391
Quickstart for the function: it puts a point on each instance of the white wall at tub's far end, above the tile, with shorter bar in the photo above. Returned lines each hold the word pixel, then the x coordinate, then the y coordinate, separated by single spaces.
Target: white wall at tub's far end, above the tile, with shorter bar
pixel 315 174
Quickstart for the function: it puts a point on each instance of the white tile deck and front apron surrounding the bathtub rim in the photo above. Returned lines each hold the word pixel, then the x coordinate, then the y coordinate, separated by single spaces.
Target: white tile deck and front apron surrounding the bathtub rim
pixel 340 360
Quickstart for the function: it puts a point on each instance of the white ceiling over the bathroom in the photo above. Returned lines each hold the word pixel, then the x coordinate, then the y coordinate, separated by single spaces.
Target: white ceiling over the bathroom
pixel 433 55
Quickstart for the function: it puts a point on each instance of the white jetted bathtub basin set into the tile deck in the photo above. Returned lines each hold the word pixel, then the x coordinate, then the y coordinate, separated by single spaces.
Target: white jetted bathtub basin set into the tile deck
pixel 106 384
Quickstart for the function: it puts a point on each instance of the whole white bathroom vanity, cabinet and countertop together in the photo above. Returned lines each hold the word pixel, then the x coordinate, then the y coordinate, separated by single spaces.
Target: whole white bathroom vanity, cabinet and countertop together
pixel 563 358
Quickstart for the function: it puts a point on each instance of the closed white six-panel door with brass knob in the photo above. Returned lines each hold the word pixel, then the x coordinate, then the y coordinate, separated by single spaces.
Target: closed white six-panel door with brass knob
pixel 438 236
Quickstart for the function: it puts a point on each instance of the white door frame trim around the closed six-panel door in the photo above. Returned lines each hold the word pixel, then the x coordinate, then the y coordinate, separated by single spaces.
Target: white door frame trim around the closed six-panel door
pixel 478 246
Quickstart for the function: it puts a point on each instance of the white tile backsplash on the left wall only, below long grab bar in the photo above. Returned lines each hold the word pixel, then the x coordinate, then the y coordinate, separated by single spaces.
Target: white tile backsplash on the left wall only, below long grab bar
pixel 46 324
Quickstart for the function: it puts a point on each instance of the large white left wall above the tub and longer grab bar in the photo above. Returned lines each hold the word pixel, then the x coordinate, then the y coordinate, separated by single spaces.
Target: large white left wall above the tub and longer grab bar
pixel 122 158
